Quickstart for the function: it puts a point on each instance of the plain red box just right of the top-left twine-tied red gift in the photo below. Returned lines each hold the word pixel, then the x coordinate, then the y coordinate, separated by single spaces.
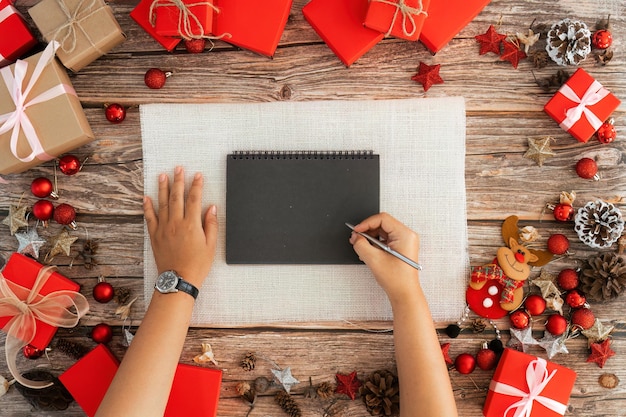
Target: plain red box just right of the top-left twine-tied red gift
pixel 252 24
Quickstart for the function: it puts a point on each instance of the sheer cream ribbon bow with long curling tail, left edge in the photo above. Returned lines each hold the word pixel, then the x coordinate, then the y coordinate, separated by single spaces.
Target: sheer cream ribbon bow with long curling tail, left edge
pixel 62 308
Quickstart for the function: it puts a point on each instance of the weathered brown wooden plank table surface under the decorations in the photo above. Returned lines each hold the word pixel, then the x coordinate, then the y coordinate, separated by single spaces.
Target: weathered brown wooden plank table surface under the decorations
pixel 504 109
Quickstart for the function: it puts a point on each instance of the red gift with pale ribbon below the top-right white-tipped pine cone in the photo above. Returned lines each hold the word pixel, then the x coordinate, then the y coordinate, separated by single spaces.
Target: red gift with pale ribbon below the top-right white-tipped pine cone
pixel 581 105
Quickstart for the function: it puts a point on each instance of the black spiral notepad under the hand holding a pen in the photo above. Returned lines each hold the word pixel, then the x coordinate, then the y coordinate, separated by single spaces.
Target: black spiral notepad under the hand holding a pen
pixel 291 207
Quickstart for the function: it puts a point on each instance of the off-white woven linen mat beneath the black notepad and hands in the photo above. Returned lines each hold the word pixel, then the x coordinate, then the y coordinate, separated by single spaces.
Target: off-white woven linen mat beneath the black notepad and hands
pixel 421 143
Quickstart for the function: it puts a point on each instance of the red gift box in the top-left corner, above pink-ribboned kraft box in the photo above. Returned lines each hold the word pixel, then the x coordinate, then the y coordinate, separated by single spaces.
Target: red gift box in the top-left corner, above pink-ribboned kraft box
pixel 20 39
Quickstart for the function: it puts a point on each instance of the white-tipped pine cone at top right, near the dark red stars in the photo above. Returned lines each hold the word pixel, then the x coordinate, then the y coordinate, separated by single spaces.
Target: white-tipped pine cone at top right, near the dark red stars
pixel 568 42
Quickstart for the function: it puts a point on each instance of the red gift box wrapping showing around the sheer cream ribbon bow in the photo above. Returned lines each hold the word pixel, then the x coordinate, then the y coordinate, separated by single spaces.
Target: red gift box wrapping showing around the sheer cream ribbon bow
pixel 23 271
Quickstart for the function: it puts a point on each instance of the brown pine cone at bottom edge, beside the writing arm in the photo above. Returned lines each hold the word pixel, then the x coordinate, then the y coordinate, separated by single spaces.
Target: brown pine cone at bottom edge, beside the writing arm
pixel 381 394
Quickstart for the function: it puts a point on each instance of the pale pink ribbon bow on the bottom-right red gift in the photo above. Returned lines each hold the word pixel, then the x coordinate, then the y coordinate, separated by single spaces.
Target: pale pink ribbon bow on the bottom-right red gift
pixel 537 378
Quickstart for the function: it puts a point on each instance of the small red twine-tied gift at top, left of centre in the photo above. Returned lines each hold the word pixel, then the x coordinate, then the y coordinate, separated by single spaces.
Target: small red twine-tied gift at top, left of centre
pixel 186 19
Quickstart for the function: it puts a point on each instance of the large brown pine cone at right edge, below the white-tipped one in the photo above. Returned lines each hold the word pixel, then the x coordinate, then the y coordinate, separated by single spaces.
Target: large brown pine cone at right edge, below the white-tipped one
pixel 604 276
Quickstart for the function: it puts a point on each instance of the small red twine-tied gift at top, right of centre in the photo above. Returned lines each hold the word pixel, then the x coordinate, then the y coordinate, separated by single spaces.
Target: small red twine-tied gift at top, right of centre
pixel 399 18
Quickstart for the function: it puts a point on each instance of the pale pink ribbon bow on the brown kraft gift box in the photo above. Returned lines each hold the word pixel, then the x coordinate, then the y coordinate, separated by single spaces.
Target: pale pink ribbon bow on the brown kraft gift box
pixel 18 120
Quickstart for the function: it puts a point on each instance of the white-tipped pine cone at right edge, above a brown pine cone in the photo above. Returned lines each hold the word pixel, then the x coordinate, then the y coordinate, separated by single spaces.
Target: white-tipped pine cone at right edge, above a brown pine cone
pixel 599 224
